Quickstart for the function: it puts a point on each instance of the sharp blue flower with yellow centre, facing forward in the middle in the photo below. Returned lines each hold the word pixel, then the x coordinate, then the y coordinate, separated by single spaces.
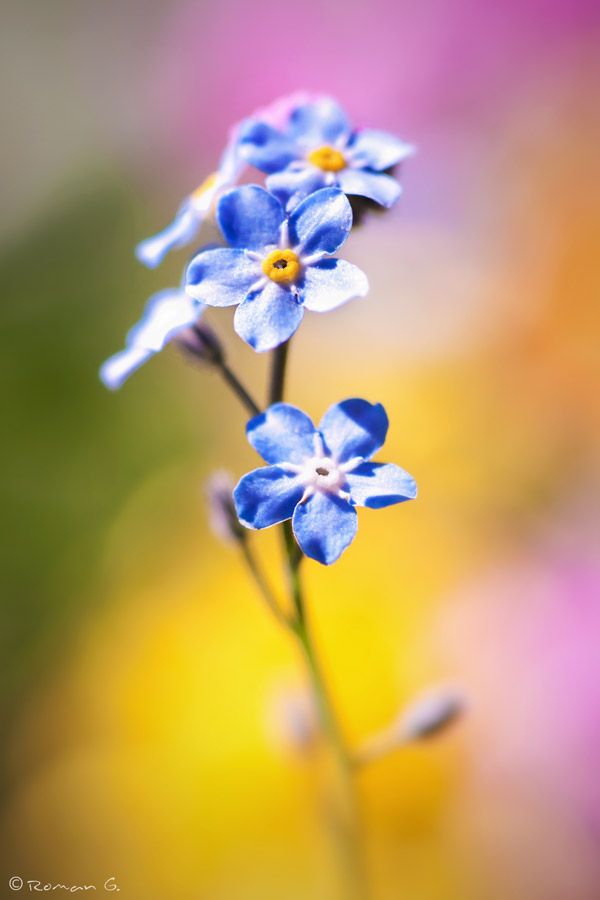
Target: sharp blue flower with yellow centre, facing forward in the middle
pixel 276 267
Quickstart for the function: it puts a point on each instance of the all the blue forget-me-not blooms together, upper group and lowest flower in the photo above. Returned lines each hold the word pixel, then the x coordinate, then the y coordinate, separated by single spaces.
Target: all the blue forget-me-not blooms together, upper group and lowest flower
pixel 277 260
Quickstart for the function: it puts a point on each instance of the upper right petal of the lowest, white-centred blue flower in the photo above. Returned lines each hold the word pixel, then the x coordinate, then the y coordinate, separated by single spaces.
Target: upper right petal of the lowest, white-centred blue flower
pixel 354 428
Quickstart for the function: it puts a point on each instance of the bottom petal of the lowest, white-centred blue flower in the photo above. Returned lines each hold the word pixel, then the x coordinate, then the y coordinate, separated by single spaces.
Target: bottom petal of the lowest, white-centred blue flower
pixel 324 526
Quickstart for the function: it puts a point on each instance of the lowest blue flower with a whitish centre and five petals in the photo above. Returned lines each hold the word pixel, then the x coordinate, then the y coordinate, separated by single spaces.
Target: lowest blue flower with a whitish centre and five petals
pixel 318 477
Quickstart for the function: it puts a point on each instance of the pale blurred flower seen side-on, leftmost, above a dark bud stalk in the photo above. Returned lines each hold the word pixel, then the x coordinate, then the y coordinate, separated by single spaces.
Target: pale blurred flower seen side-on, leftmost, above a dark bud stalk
pixel 166 315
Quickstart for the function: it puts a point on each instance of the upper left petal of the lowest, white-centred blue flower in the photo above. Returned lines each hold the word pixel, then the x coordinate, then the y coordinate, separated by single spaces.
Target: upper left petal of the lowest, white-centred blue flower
pixel 283 433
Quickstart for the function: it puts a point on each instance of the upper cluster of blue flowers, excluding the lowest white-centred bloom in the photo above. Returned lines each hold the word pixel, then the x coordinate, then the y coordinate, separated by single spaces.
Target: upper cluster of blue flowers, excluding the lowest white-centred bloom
pixel 281 240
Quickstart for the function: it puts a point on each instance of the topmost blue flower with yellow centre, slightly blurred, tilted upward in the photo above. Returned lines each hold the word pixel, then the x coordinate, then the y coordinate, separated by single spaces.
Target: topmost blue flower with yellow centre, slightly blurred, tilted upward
pixel 319 148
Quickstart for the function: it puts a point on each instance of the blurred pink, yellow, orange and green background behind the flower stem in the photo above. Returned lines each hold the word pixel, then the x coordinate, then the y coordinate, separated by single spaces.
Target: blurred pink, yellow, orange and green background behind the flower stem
pixel 144 688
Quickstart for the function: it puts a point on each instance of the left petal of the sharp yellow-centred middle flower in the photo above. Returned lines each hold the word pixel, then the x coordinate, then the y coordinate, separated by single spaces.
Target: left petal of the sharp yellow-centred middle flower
pixel 221 276
